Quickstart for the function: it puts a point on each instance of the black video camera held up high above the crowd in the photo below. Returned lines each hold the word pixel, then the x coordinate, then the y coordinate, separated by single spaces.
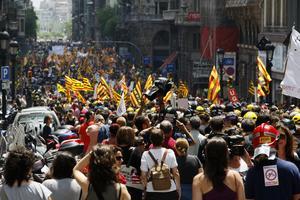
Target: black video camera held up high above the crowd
pixel 160 88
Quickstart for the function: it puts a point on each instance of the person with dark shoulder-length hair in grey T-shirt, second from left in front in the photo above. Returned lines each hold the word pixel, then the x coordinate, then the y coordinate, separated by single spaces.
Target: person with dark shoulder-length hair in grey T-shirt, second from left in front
pixel 61 184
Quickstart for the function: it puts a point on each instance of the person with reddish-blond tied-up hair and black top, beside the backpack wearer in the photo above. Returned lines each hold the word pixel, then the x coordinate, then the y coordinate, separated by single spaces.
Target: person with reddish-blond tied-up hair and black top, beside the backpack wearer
pixel 188 167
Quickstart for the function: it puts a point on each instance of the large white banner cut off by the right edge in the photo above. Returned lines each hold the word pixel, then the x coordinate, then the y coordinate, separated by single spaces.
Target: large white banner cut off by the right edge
pixel 291 83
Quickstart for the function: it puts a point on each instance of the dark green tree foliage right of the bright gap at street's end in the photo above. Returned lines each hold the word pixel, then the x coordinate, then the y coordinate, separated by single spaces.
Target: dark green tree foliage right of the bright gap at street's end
pixel 108 21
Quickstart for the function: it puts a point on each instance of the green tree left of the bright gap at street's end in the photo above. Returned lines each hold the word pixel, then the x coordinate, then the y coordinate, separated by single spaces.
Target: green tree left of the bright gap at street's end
pixel 30 23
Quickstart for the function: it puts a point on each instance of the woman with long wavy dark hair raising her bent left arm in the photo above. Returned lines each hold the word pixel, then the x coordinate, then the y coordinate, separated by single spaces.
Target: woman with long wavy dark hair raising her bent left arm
pixel 101 182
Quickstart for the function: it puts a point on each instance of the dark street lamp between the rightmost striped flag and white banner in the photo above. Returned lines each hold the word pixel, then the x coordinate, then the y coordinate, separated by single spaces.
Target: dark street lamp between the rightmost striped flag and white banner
pixel 265 45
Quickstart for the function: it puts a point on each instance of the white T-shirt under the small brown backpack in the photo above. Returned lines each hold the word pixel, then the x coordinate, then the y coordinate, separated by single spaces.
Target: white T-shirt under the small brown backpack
pixel 147 163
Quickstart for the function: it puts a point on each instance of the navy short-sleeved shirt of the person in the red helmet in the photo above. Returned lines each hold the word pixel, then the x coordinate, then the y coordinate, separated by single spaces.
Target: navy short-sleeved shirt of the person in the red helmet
pixel 289 182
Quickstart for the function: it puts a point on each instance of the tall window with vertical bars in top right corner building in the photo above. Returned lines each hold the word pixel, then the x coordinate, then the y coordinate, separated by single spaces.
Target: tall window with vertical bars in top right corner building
pixel 275 13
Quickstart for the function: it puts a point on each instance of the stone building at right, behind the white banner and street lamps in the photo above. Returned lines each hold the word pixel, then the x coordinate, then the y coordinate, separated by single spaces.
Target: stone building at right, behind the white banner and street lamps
pixel 255 19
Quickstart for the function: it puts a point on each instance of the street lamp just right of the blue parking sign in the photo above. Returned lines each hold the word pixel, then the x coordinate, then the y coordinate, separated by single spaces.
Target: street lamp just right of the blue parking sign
pixel 14 47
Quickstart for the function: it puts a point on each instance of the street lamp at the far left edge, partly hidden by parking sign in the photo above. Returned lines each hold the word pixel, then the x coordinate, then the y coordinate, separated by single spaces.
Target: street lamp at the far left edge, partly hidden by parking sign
pixel 4 37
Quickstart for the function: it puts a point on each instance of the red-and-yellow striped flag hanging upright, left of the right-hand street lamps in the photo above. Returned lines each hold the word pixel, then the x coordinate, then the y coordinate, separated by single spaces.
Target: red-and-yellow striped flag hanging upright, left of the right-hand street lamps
pixel 213 86
